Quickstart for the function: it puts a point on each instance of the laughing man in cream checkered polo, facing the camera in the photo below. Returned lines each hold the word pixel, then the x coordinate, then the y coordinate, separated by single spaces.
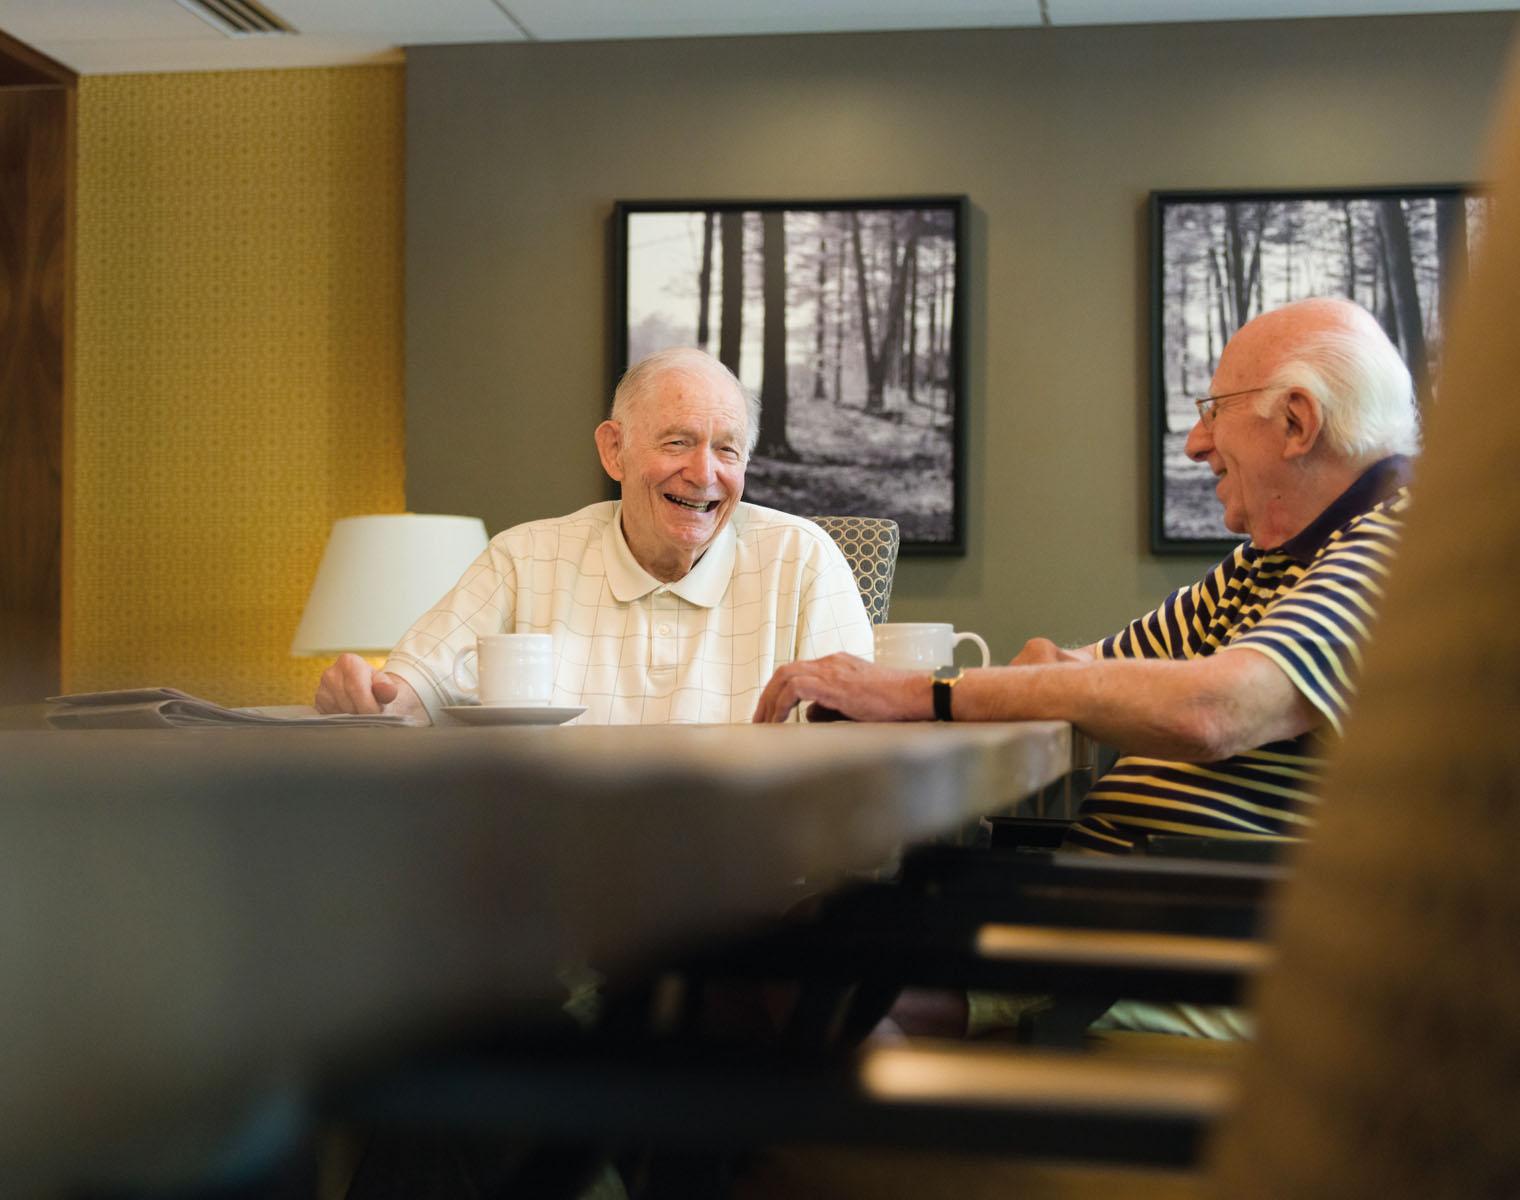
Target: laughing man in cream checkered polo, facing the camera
pixel 674 605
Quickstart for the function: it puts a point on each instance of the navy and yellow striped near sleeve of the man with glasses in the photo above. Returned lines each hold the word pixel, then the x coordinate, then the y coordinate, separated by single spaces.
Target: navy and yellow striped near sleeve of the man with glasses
pixel 1317 630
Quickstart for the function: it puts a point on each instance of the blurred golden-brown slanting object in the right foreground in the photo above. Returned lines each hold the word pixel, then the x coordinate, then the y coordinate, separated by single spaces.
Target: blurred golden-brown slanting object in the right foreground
pixel 1389 1062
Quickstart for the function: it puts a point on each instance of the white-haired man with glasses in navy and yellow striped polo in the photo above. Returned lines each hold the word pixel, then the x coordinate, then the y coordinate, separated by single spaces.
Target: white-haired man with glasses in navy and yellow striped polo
pixel 1223 694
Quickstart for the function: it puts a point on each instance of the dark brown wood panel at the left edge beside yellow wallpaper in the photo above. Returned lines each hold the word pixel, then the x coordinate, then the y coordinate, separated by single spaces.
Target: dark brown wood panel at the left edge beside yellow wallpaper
pixel 34 291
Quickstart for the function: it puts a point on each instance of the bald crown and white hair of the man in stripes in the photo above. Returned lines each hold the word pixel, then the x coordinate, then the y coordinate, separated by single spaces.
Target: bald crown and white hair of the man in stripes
pixel 1338 354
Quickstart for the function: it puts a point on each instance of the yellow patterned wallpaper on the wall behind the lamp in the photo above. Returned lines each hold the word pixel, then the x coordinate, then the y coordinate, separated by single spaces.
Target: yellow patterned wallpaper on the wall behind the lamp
pixel 238 366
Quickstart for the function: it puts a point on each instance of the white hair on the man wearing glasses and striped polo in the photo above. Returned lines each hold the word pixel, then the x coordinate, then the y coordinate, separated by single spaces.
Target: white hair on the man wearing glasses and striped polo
pixel 1363 386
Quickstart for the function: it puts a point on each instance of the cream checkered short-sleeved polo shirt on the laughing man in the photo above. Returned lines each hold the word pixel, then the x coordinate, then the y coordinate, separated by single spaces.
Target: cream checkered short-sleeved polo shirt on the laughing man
pixel 635 650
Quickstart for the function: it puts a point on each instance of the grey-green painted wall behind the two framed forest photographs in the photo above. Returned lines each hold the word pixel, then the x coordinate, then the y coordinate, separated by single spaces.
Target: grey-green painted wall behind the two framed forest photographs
pixel 518 153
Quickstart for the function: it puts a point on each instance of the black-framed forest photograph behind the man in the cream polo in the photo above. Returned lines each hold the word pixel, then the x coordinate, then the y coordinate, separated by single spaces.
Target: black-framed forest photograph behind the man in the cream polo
pixel 844 317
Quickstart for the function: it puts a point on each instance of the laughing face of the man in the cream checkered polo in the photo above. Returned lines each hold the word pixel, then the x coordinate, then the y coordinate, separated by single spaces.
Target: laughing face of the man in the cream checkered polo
pixel 680 456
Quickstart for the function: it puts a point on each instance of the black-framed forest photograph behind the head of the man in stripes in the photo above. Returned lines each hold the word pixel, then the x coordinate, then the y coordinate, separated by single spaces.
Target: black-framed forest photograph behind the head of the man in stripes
pixel 1221 258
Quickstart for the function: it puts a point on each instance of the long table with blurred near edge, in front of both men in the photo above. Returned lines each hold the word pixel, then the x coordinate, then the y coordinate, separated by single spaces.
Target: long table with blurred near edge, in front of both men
pixel 195 913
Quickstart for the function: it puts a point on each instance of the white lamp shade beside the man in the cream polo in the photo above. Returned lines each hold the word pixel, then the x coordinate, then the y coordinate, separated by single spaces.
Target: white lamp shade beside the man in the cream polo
pixel 379 576
